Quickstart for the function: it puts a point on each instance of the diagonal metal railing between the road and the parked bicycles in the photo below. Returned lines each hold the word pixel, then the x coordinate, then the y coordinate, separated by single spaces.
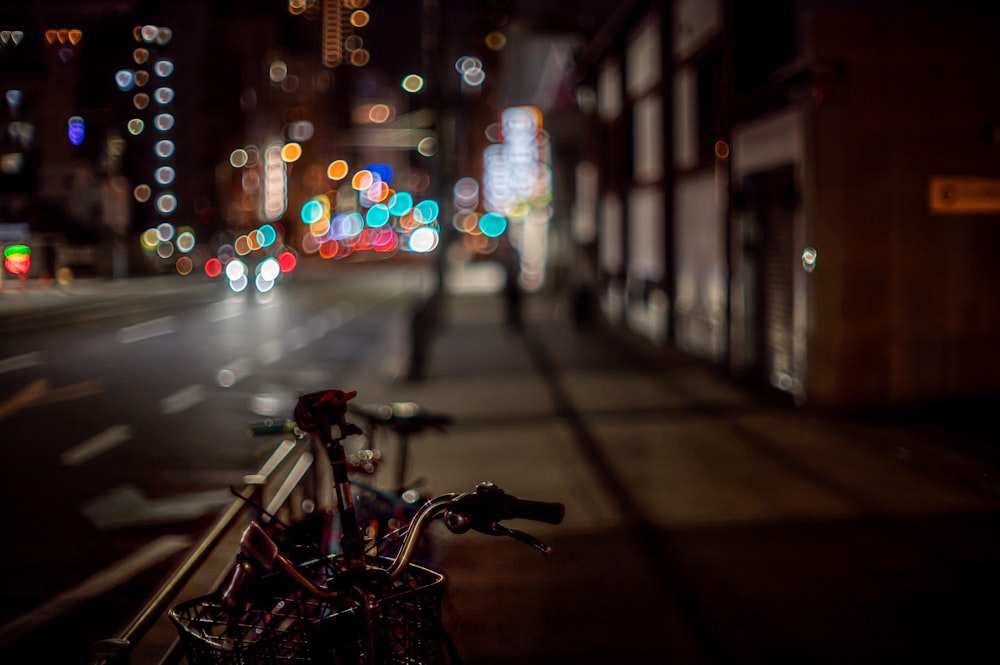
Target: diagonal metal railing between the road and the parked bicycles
pixel 270 487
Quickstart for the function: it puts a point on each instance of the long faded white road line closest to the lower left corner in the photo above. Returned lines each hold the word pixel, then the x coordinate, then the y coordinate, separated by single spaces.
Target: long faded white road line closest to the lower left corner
pixel 142 559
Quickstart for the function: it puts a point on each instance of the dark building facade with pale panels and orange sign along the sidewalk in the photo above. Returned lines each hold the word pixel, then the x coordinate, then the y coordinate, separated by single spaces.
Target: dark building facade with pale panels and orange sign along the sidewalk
pixel 806 194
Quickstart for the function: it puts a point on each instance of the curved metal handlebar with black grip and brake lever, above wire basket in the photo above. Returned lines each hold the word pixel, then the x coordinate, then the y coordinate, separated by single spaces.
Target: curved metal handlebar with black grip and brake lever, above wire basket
pixel 481 510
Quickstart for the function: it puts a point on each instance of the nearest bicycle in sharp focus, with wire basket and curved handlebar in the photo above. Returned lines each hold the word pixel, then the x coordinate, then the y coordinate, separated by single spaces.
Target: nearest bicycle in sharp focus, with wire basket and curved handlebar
pixel 352 607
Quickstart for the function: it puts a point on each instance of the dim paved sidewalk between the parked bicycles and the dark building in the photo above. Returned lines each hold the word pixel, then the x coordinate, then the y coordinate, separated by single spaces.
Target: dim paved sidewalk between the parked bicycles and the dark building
pixel 707 522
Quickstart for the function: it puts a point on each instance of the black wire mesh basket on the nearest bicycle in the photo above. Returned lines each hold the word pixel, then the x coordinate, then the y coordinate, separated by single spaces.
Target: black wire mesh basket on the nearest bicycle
pixel 283 624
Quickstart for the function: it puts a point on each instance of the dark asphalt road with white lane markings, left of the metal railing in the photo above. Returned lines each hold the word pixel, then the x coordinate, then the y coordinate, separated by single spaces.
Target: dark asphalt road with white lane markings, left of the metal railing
pixel 124 419
